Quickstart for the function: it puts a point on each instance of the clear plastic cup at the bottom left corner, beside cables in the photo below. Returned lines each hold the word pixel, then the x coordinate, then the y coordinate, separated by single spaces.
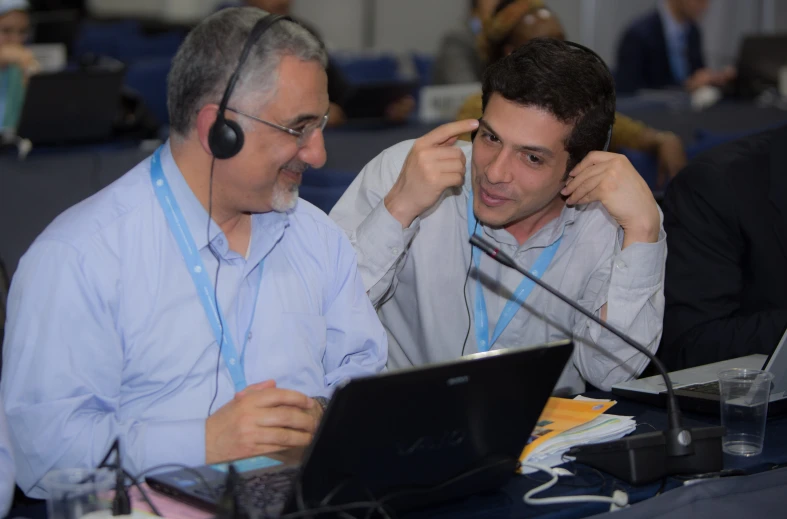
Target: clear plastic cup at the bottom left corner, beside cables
pixel 76 493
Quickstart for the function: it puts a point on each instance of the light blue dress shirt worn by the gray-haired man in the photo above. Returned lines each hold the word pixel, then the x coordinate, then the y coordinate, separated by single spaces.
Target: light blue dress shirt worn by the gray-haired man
pixel 107 338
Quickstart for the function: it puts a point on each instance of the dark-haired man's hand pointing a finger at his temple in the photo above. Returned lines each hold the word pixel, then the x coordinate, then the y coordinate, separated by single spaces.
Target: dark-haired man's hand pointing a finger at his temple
pixel 432 166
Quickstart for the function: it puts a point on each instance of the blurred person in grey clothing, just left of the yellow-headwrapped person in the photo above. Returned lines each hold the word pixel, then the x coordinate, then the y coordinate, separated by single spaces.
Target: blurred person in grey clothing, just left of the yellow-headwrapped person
pixel 458 60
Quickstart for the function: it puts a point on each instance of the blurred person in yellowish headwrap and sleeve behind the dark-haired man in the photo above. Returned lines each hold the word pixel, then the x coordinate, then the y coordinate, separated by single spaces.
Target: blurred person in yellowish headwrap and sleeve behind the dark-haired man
pixel 516 22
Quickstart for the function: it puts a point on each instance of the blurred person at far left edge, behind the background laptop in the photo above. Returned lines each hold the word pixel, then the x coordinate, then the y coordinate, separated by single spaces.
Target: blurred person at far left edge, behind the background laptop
pixel 17 63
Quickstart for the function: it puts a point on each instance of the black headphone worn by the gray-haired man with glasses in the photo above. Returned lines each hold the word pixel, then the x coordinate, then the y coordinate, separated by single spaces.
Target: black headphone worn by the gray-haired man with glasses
pixel 225 138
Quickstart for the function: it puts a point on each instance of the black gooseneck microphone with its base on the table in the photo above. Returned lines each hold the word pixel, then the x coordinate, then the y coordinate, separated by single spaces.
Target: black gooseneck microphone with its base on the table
pixel 644 457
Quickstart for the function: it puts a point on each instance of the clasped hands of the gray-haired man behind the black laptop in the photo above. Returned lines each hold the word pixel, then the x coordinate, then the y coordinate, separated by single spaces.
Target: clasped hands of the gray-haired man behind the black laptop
pixel 262 418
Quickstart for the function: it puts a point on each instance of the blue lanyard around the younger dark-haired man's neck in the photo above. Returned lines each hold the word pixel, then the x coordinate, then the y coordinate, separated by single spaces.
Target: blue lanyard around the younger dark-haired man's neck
pixel 520 294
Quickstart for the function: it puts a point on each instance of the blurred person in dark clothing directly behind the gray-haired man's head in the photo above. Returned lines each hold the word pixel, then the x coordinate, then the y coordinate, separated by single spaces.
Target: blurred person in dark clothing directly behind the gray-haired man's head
pixel 338 88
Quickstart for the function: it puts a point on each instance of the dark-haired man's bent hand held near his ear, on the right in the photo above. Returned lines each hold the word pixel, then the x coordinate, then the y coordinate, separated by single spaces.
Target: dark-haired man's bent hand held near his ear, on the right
pixel 612 180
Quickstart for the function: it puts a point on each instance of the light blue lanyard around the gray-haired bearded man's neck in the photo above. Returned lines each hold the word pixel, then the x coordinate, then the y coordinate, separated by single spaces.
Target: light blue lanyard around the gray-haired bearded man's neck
pixel 199 274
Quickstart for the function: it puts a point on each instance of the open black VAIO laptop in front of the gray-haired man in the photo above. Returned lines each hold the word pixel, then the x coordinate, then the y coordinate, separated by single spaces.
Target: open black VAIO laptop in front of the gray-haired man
pixel 409 438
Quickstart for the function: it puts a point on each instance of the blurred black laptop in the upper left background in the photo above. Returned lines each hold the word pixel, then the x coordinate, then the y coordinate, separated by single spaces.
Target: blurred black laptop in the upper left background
pixel 71 106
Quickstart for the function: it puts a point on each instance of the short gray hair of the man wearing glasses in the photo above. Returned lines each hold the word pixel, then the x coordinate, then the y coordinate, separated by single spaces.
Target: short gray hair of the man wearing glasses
pixel 207 58
